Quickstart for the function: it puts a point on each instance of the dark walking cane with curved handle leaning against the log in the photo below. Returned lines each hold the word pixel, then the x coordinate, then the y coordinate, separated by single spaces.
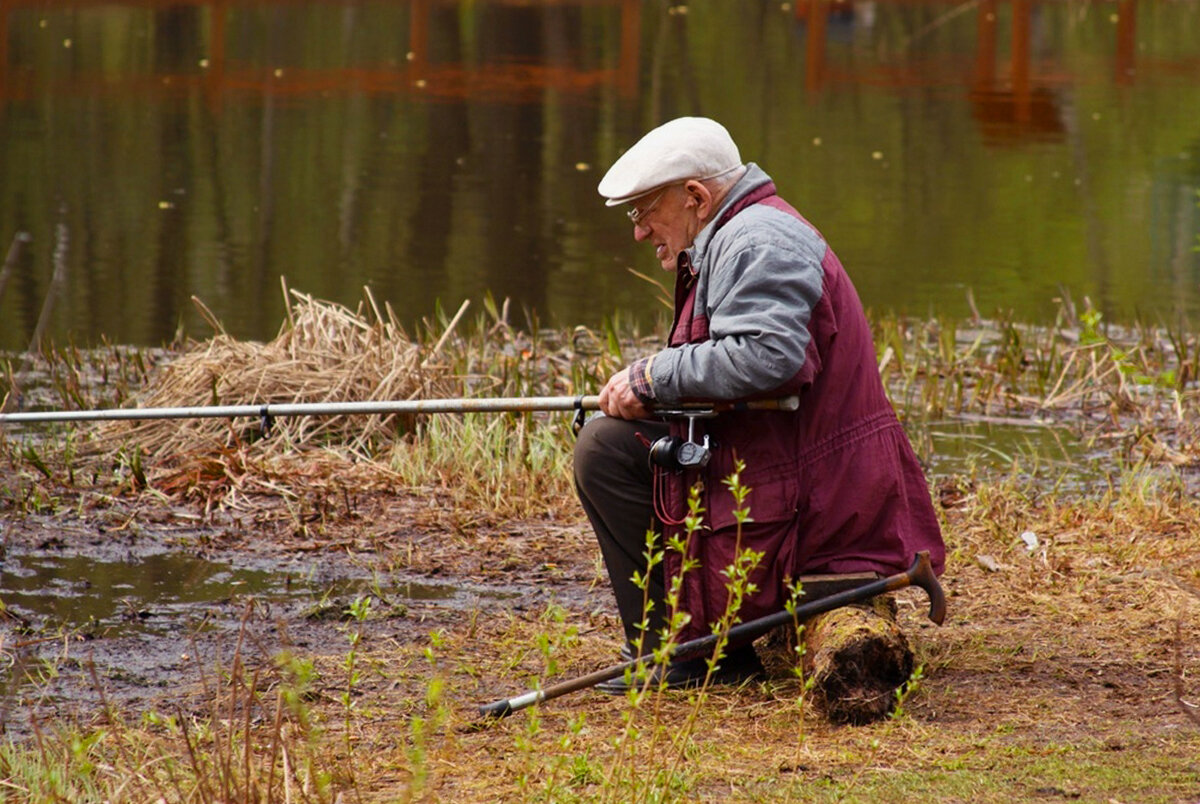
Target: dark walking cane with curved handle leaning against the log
pixel 920 574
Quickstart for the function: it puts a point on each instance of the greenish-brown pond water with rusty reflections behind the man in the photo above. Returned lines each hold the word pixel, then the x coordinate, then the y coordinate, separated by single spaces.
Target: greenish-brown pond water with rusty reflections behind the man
pixel 436 152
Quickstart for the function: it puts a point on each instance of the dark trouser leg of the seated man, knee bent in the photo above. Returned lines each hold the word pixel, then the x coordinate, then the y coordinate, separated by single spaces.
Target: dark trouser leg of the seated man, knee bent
pixel 616 487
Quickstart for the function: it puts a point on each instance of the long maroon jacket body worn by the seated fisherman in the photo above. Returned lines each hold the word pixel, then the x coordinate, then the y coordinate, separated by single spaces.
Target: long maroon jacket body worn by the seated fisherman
pixel 836 487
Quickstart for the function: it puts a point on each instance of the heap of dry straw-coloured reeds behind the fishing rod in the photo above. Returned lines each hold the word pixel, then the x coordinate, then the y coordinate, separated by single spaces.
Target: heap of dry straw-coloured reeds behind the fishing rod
pixel 323 353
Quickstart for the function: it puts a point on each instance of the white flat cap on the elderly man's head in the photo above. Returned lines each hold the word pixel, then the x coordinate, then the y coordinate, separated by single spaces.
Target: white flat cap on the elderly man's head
pixel 686 148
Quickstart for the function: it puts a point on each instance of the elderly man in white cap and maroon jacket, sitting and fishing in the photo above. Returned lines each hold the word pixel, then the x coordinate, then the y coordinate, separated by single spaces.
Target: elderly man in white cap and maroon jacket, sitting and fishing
pixel 763 309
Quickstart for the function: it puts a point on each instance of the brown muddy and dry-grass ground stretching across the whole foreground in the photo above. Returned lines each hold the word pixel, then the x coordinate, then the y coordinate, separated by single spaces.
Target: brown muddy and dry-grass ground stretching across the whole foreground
pixel 1058 676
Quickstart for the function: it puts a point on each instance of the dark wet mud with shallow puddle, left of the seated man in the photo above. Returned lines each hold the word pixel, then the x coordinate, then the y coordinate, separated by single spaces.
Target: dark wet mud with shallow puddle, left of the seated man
pixel 81 628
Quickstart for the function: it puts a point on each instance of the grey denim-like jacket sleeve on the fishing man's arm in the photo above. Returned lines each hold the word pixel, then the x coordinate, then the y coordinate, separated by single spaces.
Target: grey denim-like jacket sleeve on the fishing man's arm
pixel 759 301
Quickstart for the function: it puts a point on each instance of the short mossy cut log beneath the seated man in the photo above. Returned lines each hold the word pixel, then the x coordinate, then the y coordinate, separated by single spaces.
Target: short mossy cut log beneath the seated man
pixel 856 658
